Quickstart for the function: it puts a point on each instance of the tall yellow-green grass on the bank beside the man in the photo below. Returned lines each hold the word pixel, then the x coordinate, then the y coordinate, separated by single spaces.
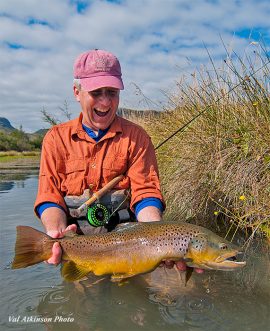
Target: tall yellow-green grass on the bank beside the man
pixel 217 170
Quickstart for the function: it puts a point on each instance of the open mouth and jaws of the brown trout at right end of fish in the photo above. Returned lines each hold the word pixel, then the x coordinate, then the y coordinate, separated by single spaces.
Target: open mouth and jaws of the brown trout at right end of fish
pixel 227 261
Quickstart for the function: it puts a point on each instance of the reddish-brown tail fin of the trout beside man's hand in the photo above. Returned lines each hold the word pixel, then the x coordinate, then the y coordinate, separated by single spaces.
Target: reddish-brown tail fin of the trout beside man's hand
pixel 32 247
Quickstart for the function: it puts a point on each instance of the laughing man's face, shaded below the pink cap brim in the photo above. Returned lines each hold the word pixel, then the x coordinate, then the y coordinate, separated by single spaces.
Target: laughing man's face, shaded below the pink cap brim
pixel 99 106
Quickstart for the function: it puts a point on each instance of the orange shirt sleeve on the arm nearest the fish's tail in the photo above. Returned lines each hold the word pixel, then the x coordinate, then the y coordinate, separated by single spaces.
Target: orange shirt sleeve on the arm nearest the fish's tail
pixel 49 180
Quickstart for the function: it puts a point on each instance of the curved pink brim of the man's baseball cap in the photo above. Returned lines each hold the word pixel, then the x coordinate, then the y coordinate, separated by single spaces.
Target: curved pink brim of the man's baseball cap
pixel 94 83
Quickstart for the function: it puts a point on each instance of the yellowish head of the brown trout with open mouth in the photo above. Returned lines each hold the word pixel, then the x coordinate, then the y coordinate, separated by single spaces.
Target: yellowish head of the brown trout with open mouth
pixel 209 251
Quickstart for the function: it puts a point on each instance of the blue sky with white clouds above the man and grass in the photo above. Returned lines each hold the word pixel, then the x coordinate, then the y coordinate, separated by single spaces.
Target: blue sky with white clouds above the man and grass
pixel 156 41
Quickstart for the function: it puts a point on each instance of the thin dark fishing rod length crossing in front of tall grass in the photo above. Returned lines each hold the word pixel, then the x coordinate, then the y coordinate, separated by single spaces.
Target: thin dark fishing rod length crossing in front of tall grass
pixel 181 129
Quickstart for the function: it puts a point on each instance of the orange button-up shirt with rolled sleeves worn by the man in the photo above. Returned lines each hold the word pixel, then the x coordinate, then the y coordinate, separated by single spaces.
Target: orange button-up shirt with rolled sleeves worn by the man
pixel 71 161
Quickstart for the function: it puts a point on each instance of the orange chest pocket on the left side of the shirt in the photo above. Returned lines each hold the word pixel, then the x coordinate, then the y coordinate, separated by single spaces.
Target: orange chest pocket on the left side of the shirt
pixel 72 173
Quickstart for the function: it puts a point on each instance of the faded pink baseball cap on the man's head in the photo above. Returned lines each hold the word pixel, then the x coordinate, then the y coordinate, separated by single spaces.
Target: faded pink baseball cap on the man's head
pixel 97 69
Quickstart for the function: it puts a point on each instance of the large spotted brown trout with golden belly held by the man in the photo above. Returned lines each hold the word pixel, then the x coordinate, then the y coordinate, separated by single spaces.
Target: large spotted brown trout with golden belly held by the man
pixel 130 250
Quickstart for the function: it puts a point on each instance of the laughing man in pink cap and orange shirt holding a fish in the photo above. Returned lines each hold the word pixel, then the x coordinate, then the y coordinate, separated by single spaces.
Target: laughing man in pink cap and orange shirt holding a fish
pixel 92 149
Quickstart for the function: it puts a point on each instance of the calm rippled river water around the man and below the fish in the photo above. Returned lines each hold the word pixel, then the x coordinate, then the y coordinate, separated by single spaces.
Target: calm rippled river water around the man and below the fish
pixel 36 298
